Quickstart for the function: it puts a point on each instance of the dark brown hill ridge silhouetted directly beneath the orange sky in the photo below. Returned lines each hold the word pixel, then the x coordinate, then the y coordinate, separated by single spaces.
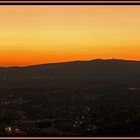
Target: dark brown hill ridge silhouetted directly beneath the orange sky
pixel 98 69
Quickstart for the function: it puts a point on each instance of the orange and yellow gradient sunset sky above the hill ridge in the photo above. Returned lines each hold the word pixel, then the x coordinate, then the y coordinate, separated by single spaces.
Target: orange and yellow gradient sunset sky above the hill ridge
pixel 46 34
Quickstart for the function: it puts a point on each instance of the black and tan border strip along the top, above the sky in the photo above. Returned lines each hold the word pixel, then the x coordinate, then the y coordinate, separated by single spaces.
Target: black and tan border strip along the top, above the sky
pixel 71 2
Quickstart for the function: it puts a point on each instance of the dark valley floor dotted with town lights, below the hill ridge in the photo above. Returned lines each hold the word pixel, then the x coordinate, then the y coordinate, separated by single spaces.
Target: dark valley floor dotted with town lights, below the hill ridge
pixel 69 108
